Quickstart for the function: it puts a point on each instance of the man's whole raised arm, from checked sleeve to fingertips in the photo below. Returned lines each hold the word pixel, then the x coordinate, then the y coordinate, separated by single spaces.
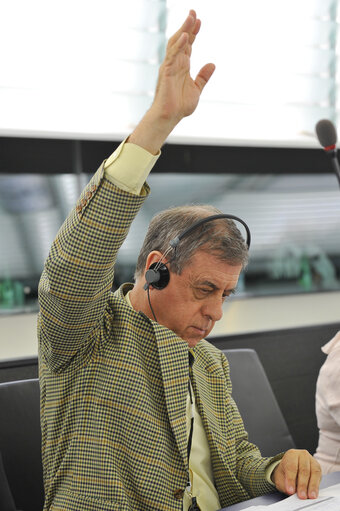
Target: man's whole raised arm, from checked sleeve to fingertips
pixel 78 274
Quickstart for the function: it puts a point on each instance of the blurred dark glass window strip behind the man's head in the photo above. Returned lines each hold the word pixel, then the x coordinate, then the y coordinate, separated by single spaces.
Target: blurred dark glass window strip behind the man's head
pixel 294 221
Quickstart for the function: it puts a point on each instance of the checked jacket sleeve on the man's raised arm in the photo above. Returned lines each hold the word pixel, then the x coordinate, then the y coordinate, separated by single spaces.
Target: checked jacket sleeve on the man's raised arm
pixel 78 273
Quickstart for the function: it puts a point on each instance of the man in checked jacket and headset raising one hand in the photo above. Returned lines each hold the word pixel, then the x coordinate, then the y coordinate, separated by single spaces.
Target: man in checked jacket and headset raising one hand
pixel 136 405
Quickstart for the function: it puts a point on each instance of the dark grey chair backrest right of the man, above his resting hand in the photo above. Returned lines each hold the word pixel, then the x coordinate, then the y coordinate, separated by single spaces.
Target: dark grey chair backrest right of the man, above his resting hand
pixel 257 404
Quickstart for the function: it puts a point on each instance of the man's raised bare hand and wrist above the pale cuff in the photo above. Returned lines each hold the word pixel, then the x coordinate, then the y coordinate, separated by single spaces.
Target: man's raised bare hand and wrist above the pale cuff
pixel 177 94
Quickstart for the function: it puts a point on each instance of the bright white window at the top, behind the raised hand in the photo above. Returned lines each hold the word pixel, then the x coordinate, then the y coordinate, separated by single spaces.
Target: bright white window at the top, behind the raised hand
pixel 75 68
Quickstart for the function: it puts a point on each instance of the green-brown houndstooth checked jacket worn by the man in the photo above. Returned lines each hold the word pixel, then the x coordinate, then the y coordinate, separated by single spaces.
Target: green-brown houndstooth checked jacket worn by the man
pixel 114 383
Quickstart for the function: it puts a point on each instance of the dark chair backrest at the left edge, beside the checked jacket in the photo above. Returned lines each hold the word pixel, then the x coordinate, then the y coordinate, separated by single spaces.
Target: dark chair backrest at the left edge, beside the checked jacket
pixel 20 442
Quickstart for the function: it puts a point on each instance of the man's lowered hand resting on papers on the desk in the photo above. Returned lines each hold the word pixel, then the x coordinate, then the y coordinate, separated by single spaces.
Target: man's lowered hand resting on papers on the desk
pixel 298 472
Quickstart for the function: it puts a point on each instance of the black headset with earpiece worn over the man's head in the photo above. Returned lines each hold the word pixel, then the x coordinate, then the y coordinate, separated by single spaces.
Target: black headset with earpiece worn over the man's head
pixel 158 274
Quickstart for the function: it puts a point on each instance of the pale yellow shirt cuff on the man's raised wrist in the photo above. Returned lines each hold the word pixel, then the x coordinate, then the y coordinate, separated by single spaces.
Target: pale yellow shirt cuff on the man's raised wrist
pixel 129 166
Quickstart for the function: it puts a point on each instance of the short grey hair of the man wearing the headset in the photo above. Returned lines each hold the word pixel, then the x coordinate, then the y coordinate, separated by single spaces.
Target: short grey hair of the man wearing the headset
pixel 220 237
